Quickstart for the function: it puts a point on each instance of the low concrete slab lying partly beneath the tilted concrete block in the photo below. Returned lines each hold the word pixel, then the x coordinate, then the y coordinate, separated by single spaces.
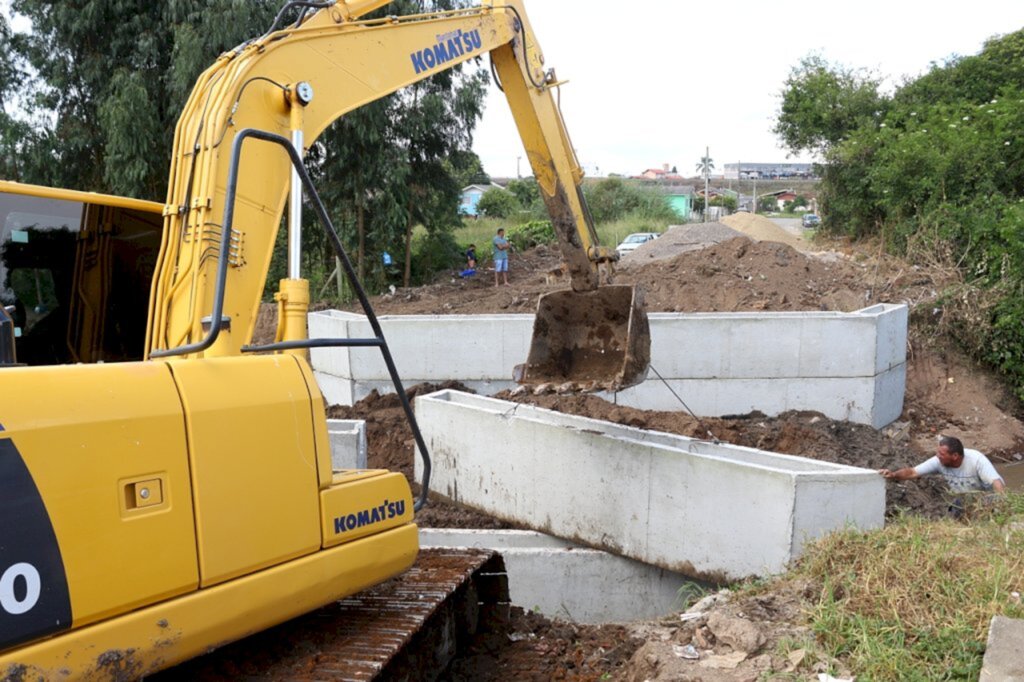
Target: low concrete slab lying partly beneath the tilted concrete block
pixel 565 581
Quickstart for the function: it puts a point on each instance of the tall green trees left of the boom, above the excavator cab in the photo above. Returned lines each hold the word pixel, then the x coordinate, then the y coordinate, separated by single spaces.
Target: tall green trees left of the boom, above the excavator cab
pixel 112 79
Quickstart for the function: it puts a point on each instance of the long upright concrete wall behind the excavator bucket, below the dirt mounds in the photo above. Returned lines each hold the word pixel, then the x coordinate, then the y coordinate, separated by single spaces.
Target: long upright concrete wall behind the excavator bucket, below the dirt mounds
pixel 847 366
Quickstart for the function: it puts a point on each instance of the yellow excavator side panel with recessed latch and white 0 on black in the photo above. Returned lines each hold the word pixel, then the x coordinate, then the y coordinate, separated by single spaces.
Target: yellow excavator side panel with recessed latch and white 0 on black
pixel 95 496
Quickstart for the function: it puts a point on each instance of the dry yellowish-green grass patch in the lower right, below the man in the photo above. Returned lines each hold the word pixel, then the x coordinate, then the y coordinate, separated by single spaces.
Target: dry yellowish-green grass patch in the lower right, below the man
pixel 914 601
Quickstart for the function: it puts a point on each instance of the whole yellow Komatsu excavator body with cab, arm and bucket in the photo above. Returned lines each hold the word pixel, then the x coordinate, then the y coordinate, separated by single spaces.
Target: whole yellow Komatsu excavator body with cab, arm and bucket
pixel 166 487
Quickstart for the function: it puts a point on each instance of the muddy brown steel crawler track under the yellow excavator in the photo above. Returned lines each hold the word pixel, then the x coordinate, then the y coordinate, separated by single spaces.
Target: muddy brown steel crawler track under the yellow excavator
pixel 409 628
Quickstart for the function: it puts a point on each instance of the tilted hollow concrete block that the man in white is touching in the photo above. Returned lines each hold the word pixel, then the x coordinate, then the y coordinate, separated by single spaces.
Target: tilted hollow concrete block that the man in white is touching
pixel 710 511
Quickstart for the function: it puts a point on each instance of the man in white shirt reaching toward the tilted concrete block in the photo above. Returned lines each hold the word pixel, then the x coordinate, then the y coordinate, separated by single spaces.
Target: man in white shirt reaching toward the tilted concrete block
pixel 965 472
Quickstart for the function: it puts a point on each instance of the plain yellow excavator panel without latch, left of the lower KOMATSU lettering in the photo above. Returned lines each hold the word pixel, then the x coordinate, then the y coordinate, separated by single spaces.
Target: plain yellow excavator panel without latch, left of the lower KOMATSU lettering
pixel 250 430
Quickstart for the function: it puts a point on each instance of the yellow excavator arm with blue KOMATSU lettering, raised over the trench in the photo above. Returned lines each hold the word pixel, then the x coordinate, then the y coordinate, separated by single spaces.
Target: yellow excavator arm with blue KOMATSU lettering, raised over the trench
pixel 294 82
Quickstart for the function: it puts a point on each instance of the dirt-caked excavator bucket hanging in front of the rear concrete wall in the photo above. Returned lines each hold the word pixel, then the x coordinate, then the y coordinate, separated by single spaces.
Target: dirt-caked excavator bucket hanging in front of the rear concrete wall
pixel 593 340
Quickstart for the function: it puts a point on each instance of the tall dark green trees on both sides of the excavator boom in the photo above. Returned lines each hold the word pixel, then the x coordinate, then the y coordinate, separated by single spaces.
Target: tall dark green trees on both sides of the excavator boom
pixel 113 76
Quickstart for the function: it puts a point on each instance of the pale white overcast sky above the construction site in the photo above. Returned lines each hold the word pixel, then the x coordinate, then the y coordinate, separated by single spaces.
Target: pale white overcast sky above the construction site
pixel 656 82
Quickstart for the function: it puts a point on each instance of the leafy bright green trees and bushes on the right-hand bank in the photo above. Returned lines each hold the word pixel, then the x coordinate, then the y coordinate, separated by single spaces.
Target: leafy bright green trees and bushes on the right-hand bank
pixel 937 167
